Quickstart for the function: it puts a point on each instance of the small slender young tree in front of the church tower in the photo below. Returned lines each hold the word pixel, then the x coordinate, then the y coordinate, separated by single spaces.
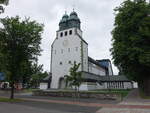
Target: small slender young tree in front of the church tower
pixel 75 77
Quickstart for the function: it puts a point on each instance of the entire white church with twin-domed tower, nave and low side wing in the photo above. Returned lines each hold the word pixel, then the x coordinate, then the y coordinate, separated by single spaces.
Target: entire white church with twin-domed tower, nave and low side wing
pixel 68 47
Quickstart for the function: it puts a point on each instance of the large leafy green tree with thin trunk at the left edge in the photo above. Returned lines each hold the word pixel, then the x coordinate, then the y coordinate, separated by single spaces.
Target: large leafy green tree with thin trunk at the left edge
pixel 19 43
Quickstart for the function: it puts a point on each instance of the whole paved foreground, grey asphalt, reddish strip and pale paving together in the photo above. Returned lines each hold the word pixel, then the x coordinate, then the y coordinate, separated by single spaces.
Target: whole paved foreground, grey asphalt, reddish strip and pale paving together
pixel 41 104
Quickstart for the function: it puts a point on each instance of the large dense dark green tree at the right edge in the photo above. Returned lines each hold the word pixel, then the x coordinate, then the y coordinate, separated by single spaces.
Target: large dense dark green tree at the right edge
pixel 131 42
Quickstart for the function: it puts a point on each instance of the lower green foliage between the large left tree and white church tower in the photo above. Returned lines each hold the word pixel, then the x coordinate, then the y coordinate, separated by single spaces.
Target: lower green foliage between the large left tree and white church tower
pixel 32 75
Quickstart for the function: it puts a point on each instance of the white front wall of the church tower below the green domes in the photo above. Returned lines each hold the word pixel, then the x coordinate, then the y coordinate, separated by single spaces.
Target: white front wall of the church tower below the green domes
pixel 65 50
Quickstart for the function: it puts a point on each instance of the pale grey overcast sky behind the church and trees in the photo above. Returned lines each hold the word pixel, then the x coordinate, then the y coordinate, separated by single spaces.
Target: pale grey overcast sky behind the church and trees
pixel 97 19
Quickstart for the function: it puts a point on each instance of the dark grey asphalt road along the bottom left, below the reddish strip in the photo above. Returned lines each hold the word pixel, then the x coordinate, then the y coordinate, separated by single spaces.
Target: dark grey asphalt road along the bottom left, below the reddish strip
pixel 43 107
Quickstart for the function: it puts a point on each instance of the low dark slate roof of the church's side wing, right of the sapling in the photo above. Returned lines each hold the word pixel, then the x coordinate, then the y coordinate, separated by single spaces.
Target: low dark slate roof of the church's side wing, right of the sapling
pixel 104 78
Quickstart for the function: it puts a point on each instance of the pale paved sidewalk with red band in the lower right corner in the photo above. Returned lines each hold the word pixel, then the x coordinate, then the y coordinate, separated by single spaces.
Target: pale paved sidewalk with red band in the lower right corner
pixel 131 104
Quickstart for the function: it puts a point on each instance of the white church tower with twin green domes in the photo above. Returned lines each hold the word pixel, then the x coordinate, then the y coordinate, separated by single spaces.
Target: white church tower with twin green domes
pixel 67 48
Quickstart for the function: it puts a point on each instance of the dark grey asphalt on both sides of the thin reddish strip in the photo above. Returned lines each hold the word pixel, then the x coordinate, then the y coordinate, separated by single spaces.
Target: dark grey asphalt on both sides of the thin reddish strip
pixel 48 107
